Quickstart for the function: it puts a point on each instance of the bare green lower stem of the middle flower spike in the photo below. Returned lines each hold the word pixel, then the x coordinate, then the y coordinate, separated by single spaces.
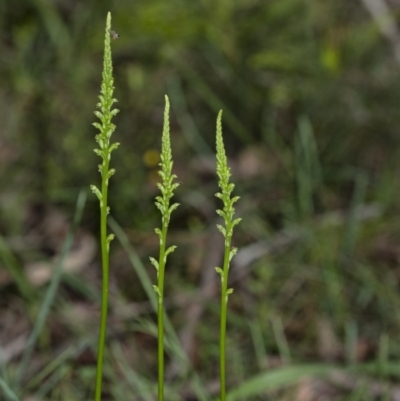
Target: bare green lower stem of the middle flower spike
pixel 160 313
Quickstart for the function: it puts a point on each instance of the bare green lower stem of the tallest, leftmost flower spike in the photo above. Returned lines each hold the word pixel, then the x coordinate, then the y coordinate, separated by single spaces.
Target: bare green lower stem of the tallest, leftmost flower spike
pixel 105 280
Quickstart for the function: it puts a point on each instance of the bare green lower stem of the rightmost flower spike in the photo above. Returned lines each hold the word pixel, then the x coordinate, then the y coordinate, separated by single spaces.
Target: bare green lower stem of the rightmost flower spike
pixel 224 307
